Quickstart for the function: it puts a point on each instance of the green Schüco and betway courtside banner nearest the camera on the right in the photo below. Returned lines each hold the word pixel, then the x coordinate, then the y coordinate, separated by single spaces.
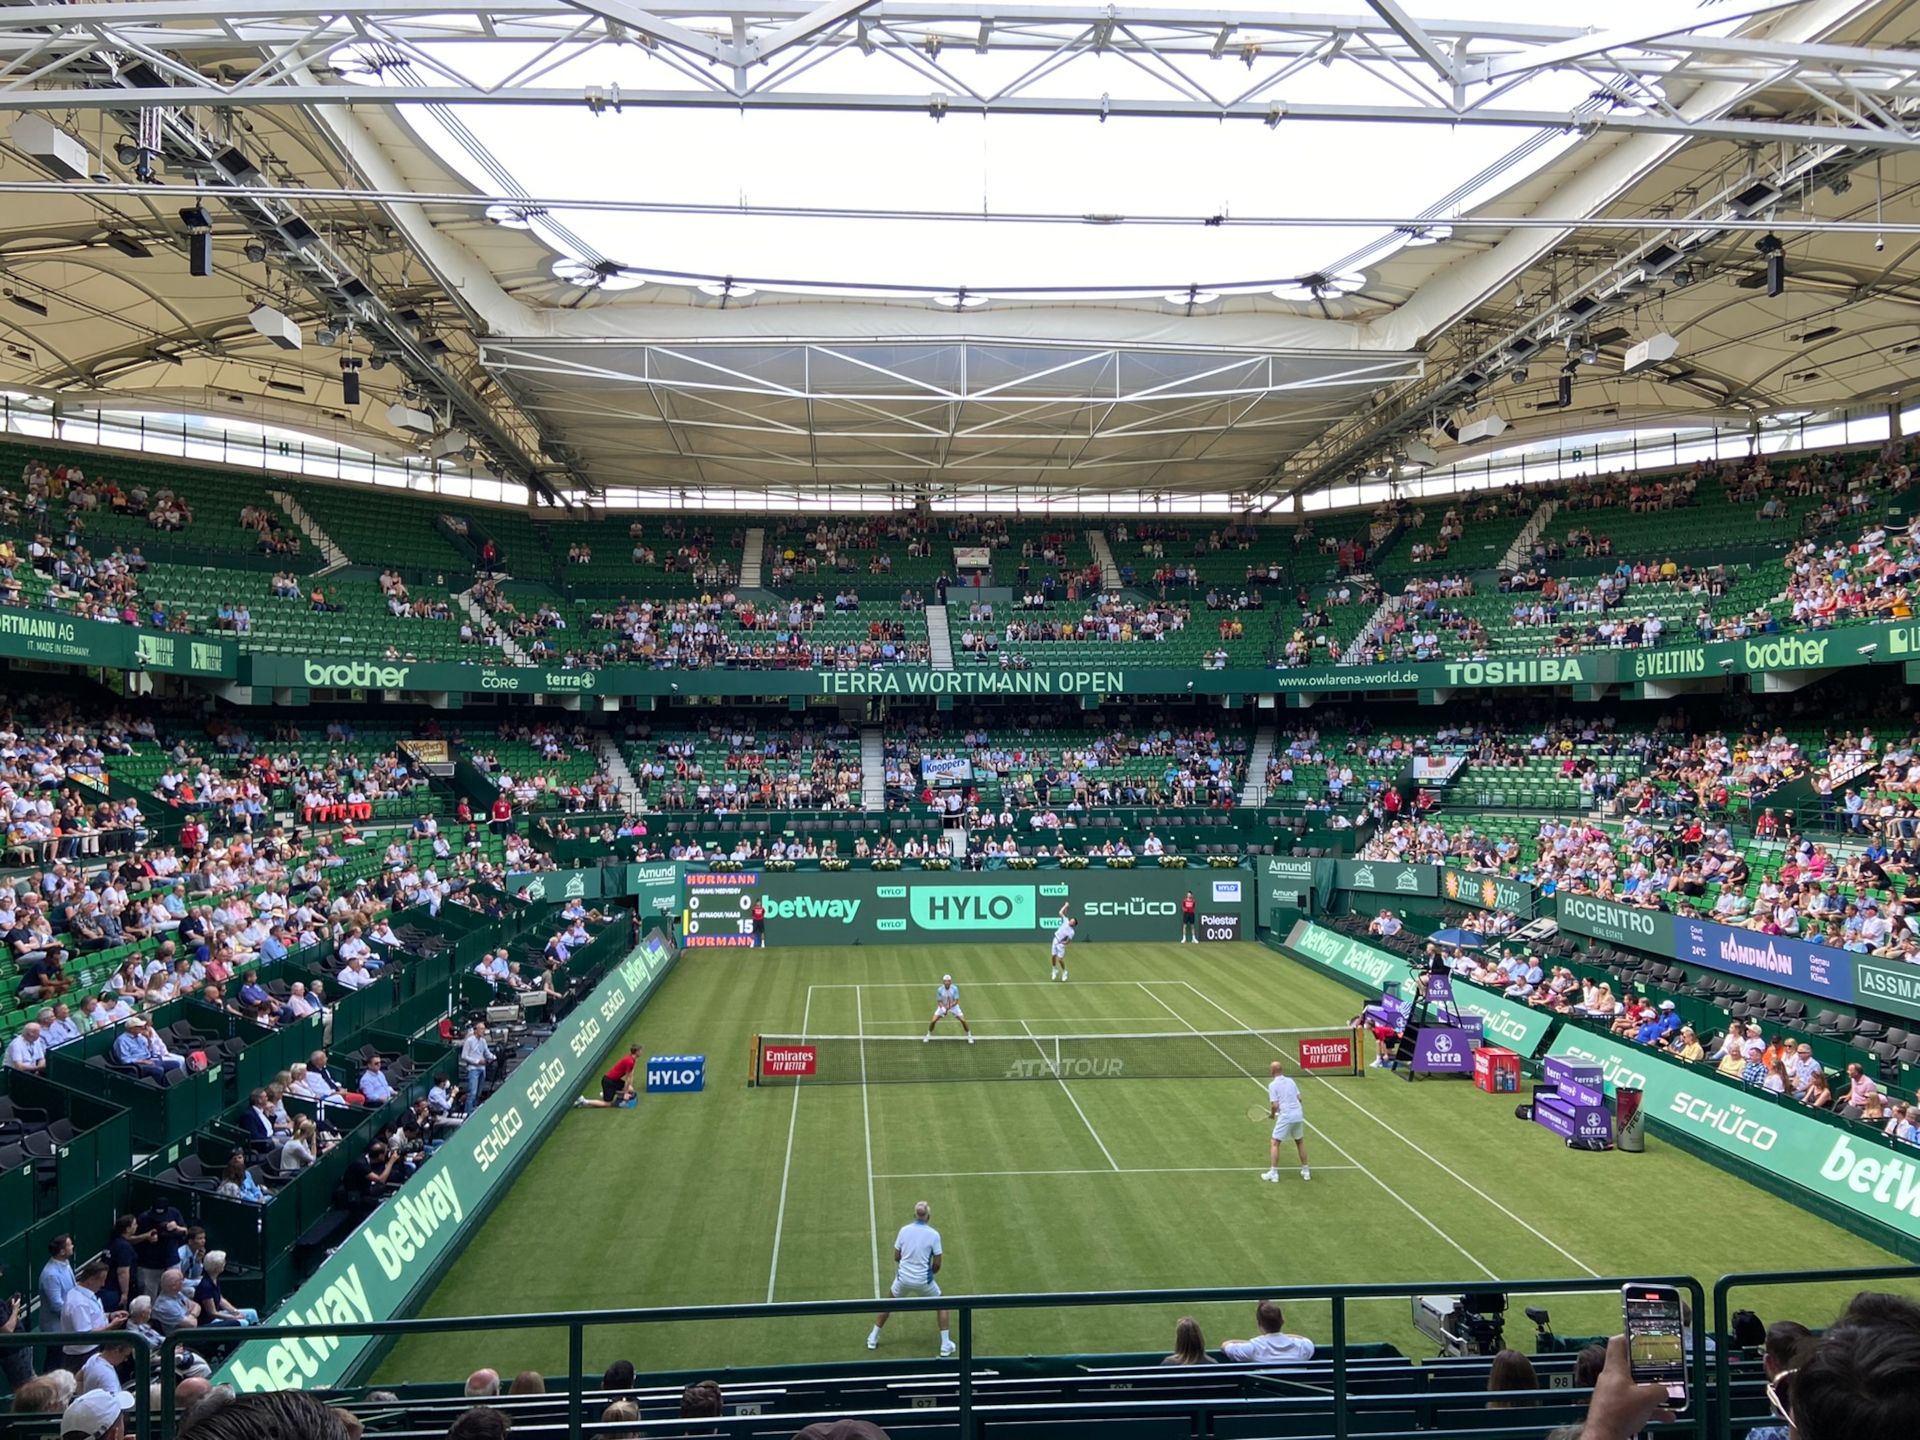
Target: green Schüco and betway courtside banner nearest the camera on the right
pixel 1846 1168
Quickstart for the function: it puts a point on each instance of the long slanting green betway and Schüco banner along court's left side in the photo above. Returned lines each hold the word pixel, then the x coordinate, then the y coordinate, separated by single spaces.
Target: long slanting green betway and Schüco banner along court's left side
pixel 389 1262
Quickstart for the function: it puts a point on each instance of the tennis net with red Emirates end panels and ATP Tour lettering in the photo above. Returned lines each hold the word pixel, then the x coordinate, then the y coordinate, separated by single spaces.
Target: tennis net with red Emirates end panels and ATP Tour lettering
pixel 1170 1055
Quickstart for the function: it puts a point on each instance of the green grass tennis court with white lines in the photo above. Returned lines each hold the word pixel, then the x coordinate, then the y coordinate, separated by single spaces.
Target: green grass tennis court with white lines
pixel 744 1195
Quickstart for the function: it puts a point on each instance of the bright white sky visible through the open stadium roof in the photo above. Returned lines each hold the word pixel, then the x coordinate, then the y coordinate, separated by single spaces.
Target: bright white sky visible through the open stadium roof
pixel 1007 164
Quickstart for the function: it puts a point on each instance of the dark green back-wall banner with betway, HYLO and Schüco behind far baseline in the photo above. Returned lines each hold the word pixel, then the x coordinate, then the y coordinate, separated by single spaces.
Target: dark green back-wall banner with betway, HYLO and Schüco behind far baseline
pixel 967 907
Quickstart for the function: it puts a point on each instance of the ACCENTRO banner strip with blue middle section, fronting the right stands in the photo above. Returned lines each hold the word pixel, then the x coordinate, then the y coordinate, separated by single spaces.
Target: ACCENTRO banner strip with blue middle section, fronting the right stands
pixel 1779 963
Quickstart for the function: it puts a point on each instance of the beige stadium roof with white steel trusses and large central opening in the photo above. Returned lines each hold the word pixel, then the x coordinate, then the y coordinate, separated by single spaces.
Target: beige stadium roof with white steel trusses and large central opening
pixel 1032 252
